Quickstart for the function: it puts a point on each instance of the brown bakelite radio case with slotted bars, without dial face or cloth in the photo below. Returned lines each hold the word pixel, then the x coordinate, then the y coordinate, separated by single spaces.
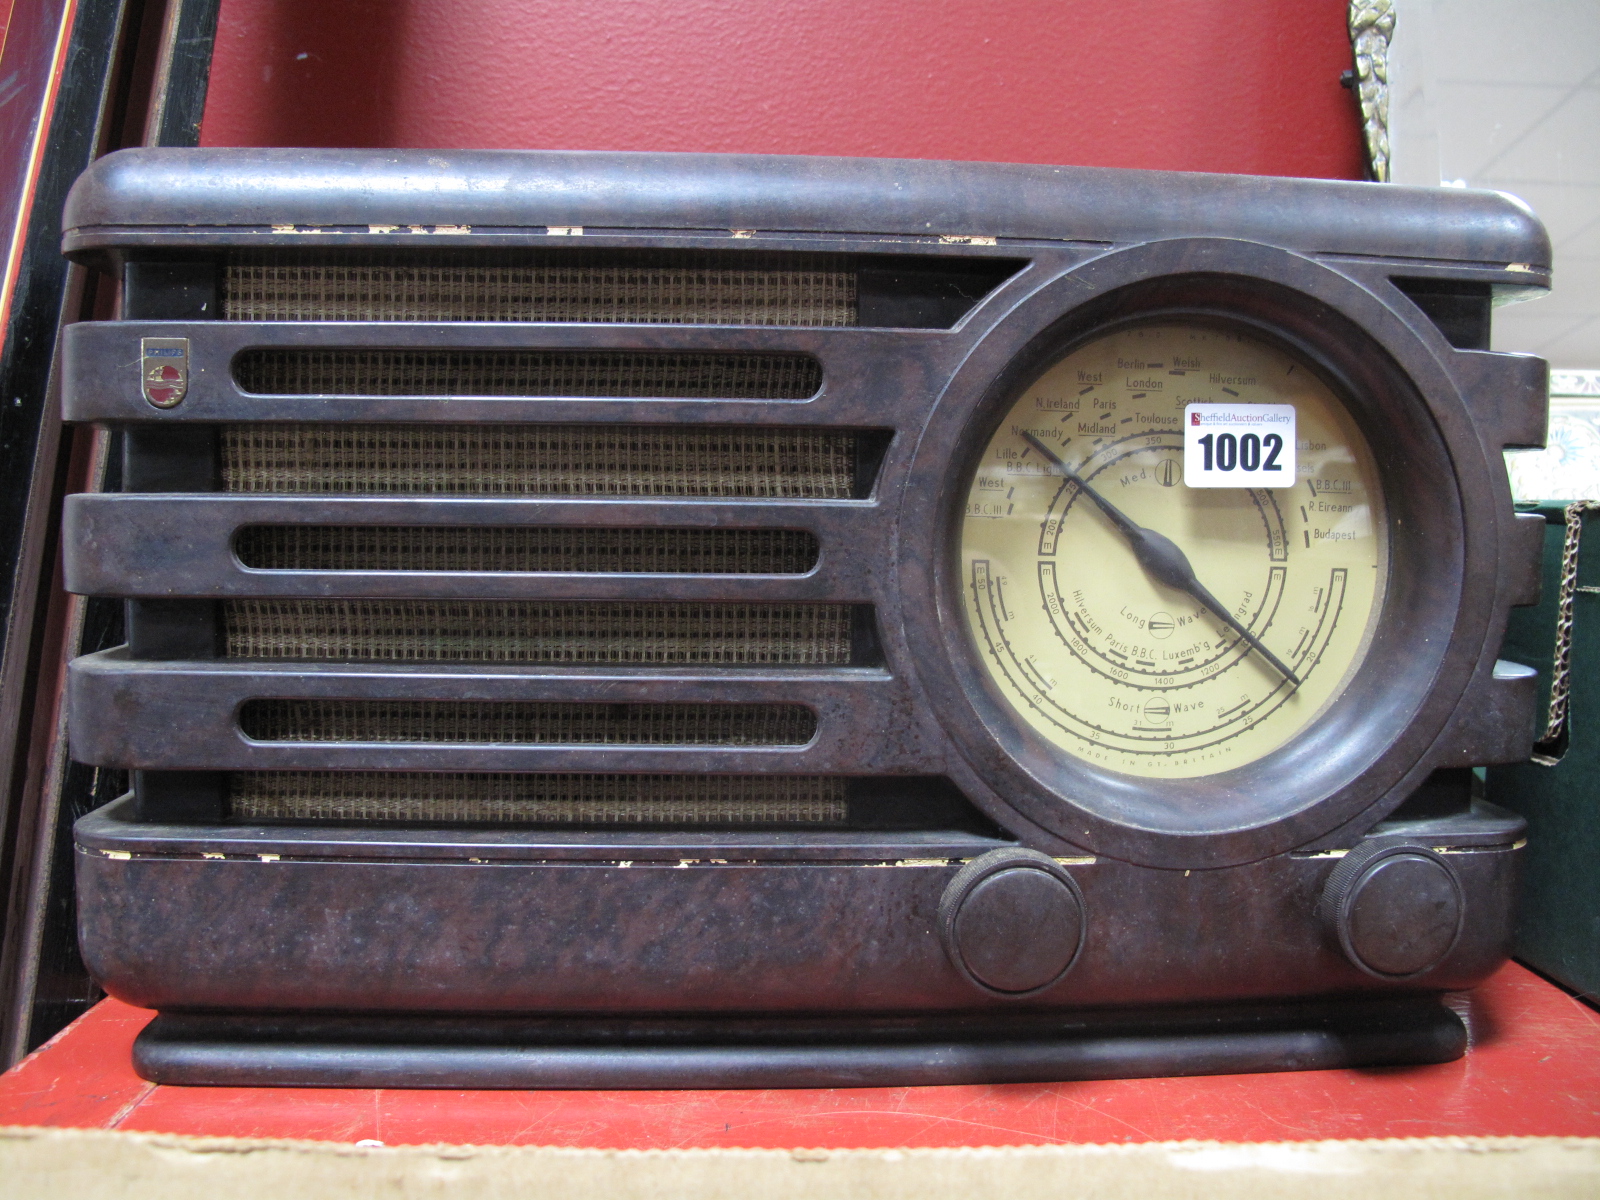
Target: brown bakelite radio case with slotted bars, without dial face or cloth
pixel 1026 919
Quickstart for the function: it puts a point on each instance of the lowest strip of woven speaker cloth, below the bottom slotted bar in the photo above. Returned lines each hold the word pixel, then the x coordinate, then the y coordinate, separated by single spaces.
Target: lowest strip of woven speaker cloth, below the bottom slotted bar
pixel 538 799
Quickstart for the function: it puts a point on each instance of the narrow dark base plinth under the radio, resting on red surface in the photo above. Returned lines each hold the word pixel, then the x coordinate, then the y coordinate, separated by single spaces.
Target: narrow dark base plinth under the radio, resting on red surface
pixel 351 1052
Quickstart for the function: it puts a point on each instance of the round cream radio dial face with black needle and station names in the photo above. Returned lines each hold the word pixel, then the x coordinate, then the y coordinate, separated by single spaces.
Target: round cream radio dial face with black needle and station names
pixel 1146 626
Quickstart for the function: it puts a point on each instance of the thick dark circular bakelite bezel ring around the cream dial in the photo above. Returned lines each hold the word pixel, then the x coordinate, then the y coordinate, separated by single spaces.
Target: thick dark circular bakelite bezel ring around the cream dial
pixel 1374 738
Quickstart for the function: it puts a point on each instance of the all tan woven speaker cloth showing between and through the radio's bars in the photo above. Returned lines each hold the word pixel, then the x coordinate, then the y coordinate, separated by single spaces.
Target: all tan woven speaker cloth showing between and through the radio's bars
pixel 481 460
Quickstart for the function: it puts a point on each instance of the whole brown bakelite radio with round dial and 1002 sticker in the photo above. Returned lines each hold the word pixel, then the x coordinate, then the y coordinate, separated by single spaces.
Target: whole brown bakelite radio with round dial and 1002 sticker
pixel 607 620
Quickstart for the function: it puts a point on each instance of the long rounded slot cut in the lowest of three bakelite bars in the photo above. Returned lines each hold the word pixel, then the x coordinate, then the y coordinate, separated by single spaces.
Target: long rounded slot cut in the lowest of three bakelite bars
pixel 527 722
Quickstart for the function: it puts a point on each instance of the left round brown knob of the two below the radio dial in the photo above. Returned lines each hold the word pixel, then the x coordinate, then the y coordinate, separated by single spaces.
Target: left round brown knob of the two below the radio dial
pixel 1012 921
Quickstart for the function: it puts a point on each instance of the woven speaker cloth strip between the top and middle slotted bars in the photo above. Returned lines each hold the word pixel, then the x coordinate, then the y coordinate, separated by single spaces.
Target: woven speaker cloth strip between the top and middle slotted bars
pixel 540 462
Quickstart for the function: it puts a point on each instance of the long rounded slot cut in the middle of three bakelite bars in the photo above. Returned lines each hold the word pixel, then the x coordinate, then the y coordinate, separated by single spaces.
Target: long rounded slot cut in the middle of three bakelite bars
pixel 519 550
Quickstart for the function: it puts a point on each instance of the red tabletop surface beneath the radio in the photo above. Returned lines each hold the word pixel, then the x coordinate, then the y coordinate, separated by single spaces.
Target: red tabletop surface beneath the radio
pixel 1534 1070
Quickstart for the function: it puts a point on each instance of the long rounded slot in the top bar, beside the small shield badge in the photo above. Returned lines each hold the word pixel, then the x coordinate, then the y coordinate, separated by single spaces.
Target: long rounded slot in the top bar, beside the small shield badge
pixel 532 374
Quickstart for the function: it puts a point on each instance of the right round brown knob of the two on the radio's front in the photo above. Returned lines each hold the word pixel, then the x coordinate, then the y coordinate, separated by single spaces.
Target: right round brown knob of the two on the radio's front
pixel 1394 910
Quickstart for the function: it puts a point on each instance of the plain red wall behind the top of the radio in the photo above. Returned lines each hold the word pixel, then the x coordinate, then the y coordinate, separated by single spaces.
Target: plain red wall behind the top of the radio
pixel 1202 86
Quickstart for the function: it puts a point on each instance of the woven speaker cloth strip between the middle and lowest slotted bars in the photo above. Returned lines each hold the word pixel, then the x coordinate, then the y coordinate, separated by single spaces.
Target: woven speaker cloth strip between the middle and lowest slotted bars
pixel 535 631
